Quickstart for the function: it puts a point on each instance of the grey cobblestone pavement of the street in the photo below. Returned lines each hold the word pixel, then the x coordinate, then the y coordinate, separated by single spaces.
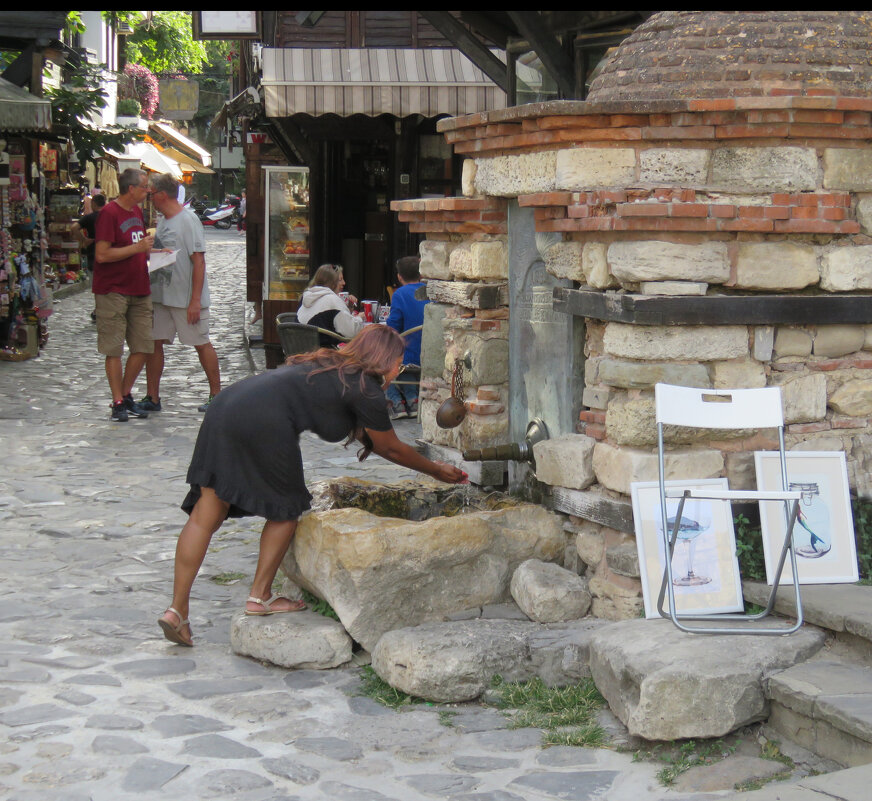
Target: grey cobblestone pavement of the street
pixel 96 704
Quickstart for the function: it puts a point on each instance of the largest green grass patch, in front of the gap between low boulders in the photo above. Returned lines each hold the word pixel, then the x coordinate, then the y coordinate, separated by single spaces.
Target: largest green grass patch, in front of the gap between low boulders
pixel 567 714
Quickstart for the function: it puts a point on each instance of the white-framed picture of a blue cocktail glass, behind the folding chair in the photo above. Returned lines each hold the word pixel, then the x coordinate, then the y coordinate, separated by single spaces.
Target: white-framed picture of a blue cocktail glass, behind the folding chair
pixel 706 577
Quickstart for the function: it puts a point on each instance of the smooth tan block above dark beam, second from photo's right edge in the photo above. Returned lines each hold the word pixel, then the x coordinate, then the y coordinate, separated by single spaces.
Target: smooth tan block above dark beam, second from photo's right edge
pixel 776 265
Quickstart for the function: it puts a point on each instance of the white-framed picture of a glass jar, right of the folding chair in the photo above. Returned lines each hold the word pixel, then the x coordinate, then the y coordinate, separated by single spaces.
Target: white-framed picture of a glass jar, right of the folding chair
pixel 826 551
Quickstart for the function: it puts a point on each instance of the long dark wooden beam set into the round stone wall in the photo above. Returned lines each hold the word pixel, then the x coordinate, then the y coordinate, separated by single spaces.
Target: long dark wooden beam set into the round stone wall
pixel 714 309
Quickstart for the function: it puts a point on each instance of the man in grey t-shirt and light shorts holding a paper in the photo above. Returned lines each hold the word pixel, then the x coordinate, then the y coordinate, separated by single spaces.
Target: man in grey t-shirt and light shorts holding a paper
pixel 179 290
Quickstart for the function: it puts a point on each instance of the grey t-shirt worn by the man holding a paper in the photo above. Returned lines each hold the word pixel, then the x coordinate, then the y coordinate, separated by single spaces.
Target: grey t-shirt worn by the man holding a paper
pixel 171 286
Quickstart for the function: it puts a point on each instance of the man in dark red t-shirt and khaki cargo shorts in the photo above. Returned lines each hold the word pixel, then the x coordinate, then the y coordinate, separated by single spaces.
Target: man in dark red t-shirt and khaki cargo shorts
pixel 122 290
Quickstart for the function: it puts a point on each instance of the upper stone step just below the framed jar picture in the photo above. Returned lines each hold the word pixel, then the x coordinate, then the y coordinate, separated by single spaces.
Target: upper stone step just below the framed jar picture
pixel 844 609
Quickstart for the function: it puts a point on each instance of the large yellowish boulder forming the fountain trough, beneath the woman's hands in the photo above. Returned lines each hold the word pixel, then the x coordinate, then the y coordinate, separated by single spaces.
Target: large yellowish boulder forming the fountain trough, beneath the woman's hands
pixel 381 574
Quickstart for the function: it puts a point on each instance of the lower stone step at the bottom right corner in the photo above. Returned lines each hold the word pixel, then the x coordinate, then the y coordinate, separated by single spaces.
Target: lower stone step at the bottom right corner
pixel 826 707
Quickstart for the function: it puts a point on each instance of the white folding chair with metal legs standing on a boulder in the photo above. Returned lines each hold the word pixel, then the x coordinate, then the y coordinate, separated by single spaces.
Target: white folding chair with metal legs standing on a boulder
pixel 723 409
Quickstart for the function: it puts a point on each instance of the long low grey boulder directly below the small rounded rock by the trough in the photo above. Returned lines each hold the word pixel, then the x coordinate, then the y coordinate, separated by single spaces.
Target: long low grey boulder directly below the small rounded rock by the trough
pixel 456 661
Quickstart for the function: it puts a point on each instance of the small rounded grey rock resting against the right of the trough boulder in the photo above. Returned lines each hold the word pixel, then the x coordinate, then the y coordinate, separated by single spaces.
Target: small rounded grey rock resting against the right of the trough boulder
pixel 547 593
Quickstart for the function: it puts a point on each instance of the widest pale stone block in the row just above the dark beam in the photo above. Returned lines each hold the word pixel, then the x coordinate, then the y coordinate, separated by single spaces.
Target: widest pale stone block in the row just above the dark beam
pixel 662 261
